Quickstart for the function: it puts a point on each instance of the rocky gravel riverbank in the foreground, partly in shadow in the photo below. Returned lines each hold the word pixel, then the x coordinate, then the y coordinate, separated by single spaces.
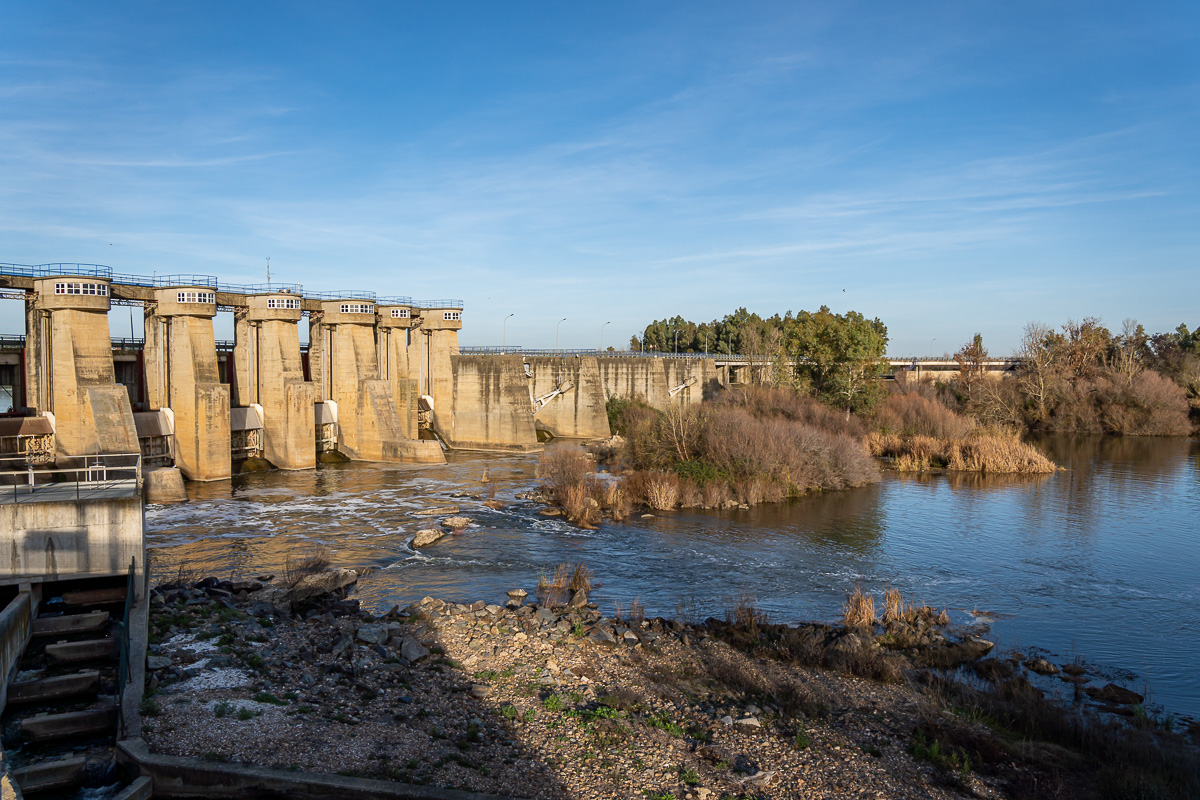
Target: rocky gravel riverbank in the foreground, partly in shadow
pixel 555 700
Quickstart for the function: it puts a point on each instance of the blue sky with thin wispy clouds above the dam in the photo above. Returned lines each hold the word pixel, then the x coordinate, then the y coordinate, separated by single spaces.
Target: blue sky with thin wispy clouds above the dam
pixel 950 169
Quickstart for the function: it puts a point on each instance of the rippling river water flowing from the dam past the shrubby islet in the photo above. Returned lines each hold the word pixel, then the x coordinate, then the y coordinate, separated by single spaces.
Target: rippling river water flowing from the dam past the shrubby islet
pixel 1100 562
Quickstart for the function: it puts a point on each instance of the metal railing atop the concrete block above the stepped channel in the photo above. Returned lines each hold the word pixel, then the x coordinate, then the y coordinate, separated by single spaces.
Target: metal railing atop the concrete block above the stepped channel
pixel 107 472
